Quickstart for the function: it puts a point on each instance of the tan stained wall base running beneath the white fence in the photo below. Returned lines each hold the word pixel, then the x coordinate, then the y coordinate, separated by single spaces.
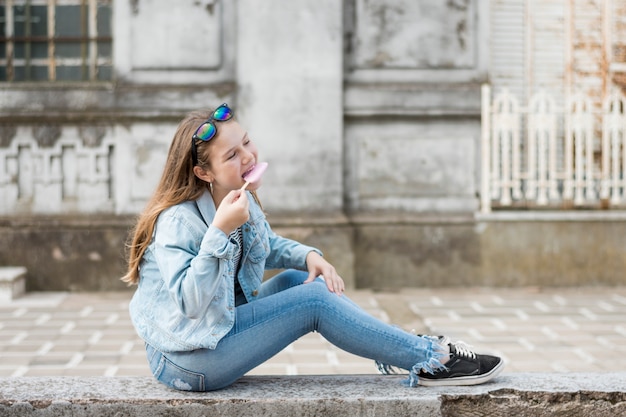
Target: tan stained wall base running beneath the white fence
pixel 432 252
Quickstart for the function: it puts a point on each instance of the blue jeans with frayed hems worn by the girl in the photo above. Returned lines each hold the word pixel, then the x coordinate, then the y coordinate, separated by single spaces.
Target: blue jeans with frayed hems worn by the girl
pixel 285 311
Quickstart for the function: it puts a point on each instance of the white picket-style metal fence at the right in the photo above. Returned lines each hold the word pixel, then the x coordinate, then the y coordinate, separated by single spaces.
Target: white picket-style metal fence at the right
pixel 545 156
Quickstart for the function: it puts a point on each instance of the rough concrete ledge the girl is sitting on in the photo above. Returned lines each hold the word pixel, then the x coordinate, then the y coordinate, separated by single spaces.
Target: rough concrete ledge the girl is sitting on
pixel 571 394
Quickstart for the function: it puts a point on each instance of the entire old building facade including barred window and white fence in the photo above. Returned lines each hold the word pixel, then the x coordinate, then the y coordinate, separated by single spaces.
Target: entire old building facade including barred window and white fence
pixel 379 119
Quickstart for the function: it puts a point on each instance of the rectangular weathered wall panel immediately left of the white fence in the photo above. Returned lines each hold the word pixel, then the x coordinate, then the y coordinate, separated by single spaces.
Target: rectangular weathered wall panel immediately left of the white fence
pixel 412 165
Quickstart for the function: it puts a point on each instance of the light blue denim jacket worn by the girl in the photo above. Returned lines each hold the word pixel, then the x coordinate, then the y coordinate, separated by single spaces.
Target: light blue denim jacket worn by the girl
pixel 185 299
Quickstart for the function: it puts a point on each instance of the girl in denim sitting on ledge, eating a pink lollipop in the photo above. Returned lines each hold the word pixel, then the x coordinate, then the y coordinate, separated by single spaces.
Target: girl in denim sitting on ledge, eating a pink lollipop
pixel 198 254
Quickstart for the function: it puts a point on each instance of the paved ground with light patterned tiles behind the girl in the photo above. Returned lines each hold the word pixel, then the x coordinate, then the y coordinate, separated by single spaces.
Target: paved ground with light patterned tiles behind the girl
pixel 535 330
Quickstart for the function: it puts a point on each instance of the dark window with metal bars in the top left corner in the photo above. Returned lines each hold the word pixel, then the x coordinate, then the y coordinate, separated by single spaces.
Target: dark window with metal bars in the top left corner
pixel 55 40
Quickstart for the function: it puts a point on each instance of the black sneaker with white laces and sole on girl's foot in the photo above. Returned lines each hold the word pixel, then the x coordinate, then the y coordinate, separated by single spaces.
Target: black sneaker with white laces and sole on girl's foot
pixel 465 367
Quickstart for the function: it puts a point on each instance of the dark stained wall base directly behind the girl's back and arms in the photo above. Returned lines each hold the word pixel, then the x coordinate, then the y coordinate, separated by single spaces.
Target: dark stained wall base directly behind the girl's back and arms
pixel 88 253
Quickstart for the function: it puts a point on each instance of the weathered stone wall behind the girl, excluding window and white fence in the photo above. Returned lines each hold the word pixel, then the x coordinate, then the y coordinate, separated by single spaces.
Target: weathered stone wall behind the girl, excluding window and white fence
pixel 368 113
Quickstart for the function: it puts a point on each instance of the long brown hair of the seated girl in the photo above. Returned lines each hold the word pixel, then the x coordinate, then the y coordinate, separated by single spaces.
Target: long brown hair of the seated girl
pixel 178 183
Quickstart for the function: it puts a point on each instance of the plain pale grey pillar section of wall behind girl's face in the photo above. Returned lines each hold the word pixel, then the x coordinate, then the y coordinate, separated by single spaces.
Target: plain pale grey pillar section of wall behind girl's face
pixel 289 96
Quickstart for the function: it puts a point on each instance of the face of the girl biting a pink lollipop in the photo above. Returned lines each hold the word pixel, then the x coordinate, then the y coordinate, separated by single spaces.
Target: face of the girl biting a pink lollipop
pixel 232 154
